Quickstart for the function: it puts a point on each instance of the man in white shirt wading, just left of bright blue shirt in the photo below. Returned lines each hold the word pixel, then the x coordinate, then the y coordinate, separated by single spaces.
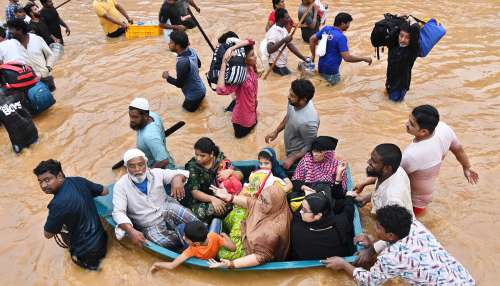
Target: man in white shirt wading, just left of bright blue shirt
pixel 278 36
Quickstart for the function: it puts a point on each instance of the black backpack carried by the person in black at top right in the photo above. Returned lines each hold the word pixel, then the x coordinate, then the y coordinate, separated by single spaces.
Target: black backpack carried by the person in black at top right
pixel 386 31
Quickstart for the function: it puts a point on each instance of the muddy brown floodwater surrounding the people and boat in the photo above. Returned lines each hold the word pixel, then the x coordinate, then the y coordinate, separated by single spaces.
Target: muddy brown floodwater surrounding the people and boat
pixel 87 130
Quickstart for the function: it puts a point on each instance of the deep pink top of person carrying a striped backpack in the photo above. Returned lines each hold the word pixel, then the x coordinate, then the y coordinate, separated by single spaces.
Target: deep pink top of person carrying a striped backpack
pixel 245 109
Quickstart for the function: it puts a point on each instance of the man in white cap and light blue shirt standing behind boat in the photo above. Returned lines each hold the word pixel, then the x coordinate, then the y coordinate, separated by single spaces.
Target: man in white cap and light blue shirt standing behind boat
pixel 150 134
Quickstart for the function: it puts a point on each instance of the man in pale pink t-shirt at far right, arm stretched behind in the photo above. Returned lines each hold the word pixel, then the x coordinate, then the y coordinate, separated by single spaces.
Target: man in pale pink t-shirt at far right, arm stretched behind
pixel 422 158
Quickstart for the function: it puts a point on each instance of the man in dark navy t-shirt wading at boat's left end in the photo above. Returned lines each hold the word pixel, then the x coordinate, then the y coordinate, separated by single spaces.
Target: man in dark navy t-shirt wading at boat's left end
pixel 74 210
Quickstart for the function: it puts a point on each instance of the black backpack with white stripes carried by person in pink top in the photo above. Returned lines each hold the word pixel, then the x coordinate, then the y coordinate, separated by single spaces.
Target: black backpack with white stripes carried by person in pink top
pixel 236 71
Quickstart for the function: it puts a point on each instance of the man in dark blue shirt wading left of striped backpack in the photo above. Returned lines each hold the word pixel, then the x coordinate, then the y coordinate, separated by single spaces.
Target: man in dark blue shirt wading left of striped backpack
pixel 187 67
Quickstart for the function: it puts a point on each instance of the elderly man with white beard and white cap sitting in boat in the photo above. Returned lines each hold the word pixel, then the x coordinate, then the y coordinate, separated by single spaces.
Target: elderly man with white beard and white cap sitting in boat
pixel 143 209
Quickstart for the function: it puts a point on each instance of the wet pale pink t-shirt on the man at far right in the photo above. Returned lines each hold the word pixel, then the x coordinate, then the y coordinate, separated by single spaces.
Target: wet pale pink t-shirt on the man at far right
pixel 422 161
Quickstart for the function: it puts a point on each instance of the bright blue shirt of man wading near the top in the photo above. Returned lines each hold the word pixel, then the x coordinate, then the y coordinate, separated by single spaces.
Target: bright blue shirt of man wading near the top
pixel 336 44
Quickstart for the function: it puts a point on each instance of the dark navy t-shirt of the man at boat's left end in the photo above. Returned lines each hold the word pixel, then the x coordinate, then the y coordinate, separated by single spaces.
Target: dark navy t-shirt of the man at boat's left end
pixel 73 206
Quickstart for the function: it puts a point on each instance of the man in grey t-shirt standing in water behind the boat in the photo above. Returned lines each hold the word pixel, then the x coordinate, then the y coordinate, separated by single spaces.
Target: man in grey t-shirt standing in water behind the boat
pixel 301 122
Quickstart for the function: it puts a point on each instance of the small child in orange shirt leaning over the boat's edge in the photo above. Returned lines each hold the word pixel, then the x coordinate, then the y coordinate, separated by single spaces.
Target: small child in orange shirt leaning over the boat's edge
pixel 202 245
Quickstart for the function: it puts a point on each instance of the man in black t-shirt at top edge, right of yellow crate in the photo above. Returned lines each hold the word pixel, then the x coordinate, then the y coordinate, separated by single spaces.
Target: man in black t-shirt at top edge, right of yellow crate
pixel 176 12
